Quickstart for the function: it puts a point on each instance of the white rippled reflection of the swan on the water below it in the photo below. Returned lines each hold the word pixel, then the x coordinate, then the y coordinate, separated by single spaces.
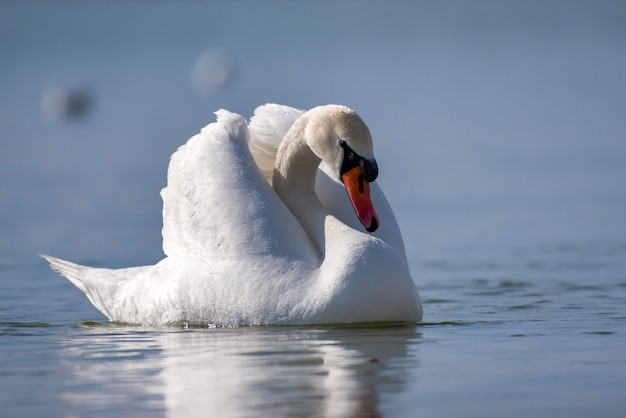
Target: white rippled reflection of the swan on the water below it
pixel 277 371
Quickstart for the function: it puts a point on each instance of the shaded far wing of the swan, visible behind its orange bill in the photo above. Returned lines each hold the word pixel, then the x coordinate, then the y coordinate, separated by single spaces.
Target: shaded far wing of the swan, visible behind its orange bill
pixel 334 198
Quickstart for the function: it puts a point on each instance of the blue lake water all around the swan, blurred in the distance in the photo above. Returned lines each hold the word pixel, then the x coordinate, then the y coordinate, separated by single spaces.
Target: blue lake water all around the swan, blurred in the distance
pixel 500 134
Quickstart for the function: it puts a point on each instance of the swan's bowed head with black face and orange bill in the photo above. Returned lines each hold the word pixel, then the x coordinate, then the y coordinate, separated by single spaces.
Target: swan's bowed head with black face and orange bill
pixel 338 136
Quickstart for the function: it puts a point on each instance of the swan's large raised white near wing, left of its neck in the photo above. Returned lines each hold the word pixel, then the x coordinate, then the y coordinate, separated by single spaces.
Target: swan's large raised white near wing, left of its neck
pixel 218 205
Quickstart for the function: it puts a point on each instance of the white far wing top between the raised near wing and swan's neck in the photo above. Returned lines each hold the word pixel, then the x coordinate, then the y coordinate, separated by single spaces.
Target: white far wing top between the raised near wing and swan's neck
pixel 268 127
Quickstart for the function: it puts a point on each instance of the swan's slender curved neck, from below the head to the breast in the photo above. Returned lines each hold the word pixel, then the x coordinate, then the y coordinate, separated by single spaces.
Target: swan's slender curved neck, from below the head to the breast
pixel 294 181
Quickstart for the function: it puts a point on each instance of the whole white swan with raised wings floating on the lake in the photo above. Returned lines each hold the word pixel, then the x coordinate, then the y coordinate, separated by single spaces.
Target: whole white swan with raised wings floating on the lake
pixel 276 221
